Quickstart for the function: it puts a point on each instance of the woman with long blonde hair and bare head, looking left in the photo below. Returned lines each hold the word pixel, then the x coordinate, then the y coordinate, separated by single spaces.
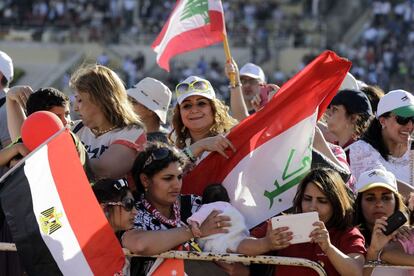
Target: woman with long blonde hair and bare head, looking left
pixel 110 130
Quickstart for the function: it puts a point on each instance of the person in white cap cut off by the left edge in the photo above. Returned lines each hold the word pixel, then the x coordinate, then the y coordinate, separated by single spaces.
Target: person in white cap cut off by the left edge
pixel 6 76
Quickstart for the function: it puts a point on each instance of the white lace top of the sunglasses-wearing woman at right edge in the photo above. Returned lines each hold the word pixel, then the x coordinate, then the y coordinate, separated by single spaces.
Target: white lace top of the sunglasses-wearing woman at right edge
pixel 364 157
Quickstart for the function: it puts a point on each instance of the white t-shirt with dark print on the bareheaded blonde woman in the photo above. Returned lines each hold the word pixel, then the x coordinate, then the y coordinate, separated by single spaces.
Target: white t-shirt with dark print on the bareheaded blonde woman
pixel 133 138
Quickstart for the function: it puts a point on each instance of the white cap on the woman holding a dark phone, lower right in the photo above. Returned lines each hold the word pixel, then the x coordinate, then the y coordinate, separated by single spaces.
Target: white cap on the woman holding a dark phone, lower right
pixel 376 178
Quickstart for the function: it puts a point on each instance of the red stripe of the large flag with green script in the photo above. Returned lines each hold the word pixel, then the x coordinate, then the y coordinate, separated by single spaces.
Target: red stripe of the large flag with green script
pixel 298 99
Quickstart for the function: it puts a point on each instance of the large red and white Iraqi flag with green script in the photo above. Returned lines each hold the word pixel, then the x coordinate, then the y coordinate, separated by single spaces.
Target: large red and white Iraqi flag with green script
pixel 274 145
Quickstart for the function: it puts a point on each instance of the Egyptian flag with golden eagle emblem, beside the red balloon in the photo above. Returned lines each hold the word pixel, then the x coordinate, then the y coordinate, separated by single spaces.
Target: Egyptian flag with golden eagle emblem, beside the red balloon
pixel 54 217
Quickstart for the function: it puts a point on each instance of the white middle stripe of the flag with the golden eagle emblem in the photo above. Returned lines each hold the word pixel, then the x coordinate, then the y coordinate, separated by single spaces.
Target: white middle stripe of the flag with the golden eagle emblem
pixel 71 261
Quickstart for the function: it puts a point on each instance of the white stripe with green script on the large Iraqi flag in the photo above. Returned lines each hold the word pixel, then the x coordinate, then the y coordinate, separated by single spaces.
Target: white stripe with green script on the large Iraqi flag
pixel 257 172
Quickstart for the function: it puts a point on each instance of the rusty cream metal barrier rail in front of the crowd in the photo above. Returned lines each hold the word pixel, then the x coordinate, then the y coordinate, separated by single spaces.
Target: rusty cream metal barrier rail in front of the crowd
pixel 226 257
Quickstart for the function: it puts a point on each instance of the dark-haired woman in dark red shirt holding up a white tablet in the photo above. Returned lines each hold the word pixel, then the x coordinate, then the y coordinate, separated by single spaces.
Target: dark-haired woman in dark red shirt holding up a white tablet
pixel 335 243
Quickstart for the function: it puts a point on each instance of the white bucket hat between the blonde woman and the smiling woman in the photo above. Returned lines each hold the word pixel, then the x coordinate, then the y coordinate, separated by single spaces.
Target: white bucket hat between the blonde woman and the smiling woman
pixel 154 95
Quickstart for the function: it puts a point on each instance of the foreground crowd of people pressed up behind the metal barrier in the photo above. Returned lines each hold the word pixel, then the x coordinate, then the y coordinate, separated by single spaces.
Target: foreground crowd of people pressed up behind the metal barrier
pixel 136 153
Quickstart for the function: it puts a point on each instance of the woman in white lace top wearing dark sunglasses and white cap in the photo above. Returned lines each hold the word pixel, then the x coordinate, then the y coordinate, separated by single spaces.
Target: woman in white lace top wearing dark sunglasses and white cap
pixel 386 143
